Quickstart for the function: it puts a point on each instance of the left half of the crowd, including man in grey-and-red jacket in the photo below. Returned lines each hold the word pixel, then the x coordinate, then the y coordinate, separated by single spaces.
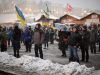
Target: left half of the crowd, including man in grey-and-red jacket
pixel 14 36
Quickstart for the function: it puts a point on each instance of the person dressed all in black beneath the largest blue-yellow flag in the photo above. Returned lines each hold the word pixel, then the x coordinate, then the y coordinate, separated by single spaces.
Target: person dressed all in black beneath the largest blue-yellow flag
pixel 16 34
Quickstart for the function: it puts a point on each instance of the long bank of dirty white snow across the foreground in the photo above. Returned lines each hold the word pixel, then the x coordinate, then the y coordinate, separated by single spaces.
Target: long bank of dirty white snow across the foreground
pixel 44 67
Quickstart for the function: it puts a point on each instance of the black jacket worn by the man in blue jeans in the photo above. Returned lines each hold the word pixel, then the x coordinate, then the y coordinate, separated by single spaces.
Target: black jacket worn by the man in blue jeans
pixel 74 39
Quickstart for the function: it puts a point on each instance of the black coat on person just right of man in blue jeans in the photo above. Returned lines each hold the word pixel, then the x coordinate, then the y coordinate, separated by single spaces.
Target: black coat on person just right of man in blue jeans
pixel 85 40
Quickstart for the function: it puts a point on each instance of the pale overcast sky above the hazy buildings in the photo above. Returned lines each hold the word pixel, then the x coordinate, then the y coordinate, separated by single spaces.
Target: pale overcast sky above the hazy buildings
pixel 91 4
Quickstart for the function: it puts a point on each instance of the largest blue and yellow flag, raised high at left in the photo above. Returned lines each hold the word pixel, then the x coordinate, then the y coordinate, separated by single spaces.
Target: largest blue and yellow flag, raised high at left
pixel 20 15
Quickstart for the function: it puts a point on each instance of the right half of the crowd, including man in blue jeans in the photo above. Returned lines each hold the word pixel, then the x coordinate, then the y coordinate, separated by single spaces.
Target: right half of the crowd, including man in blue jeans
pixel 79 37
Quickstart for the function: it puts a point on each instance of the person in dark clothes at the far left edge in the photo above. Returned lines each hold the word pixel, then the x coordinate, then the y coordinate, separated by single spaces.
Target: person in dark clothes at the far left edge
pixel 3 42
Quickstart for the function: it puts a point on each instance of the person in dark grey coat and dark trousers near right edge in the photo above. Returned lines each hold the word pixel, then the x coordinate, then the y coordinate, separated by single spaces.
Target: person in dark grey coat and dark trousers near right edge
pixel 93 39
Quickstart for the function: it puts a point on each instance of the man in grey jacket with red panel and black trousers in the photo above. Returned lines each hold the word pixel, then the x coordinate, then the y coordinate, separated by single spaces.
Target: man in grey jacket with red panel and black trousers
pixel 38 40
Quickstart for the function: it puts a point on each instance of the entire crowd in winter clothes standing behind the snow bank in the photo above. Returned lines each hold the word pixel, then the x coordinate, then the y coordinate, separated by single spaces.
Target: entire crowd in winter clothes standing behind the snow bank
pixel 79 36
